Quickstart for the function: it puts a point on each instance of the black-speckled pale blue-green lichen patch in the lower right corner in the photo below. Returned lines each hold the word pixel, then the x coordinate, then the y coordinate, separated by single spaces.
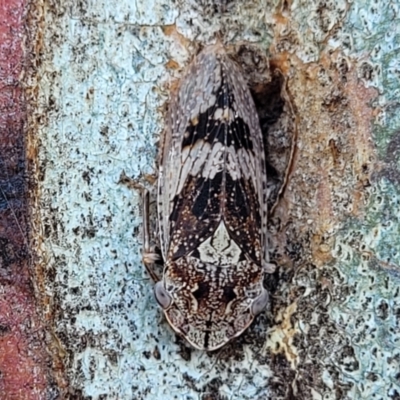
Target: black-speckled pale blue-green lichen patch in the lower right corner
pixel 367 307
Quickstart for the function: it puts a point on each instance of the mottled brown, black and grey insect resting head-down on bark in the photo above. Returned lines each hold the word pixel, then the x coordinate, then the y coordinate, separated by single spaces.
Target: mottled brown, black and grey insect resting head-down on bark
pixel 212 205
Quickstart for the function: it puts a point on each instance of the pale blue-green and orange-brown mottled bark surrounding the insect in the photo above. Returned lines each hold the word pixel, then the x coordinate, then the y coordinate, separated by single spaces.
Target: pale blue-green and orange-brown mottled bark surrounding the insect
pixel 103 72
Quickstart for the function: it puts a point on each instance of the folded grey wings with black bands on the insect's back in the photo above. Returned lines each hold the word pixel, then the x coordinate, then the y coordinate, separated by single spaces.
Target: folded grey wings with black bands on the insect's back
pixel 203 143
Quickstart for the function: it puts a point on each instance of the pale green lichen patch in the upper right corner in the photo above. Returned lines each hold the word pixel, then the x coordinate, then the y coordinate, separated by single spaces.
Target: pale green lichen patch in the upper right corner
pixel 375 30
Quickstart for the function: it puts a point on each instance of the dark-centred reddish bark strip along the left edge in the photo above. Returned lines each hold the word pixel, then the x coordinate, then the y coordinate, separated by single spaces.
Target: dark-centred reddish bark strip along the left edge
pixel 23 370
